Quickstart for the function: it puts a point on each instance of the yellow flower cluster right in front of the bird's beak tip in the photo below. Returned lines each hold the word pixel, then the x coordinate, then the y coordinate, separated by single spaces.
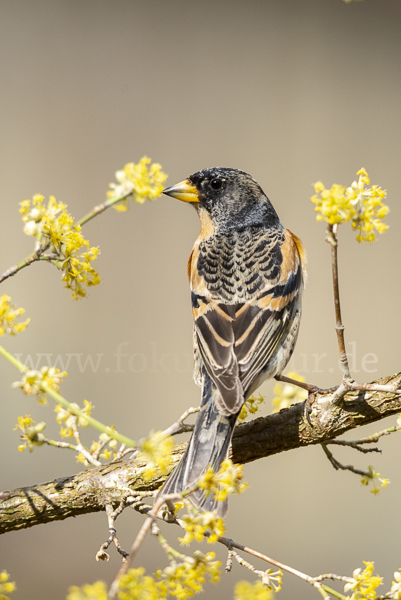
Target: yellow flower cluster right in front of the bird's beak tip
pixel 141 181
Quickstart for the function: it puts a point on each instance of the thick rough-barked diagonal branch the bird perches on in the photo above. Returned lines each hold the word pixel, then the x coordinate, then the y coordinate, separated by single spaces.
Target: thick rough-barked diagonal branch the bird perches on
pixel 95 488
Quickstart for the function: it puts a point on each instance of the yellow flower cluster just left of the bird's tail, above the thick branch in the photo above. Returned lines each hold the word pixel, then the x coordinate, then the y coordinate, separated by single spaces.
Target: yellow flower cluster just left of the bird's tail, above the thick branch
pixel 156 451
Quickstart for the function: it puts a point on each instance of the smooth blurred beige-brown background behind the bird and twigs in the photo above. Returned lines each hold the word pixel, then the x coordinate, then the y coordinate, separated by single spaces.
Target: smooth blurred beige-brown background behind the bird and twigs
pixel 292 91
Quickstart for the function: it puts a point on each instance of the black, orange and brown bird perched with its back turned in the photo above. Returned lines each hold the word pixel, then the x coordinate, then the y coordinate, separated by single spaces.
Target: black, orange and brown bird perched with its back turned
pixel 246 274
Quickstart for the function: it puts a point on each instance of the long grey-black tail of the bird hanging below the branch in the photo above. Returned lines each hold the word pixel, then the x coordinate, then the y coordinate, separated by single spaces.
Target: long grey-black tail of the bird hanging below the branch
pixel 208 446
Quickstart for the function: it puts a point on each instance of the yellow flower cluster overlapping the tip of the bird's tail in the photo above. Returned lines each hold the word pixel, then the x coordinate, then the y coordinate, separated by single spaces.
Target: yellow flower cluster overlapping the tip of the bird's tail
pixel 227 480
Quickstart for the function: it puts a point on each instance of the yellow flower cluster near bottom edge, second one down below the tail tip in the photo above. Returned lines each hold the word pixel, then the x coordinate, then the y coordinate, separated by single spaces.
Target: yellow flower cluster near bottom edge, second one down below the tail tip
pixel 184 579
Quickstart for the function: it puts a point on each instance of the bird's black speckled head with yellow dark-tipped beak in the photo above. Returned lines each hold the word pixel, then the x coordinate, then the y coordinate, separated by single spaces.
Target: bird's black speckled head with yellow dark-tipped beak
pixel 231 198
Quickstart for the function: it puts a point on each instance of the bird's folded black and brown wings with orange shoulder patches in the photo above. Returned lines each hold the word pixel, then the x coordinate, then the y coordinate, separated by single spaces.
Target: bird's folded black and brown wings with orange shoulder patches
pixel 243 341
